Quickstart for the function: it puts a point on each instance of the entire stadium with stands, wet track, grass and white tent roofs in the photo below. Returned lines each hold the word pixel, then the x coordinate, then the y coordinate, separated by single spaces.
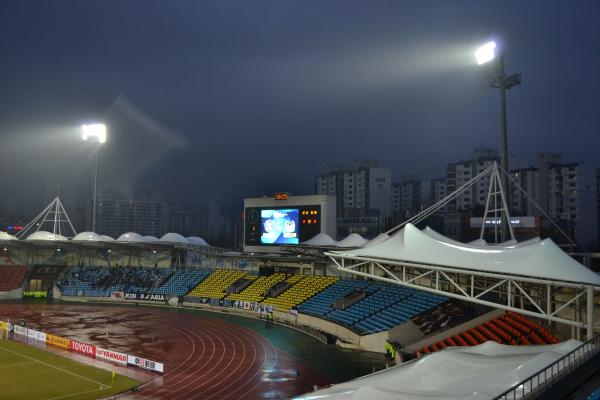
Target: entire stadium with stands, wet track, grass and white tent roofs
pixel 410 314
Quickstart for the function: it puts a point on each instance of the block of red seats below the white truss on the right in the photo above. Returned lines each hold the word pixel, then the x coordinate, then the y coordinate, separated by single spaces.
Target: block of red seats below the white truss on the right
pixel 510 328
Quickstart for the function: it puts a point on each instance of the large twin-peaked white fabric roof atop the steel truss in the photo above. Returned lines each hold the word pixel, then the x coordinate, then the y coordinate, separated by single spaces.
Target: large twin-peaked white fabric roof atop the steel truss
pixel 543 259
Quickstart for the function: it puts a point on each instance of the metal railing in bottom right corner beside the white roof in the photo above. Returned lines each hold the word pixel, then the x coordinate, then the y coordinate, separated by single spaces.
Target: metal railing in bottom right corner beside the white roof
pixel 530 387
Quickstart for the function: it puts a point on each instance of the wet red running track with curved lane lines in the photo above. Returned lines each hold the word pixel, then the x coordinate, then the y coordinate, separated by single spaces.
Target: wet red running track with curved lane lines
pixel 204 358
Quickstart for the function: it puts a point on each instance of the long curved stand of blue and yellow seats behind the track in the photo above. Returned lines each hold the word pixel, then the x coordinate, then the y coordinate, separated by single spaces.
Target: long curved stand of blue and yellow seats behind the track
pixel 383 307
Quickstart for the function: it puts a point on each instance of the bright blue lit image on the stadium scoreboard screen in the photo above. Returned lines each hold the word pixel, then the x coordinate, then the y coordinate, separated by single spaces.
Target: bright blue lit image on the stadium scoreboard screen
pixel 279 226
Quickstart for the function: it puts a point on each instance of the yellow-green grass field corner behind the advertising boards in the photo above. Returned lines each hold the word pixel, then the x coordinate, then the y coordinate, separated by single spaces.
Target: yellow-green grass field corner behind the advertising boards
pixel 29 373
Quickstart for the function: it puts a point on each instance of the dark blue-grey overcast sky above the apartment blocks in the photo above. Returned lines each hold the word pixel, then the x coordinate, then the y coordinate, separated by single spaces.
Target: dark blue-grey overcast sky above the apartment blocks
pixel 223 99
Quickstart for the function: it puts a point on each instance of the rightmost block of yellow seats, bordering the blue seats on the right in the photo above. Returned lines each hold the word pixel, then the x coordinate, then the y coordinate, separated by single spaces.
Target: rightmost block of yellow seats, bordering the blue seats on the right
pixel 303 287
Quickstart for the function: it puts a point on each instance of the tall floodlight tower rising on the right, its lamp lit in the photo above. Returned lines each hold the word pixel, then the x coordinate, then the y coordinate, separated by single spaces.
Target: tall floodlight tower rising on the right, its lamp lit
pixel 494 69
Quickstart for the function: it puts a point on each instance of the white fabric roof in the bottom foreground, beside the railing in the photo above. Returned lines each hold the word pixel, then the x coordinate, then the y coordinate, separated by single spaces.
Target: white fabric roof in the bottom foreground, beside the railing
pixel 479 372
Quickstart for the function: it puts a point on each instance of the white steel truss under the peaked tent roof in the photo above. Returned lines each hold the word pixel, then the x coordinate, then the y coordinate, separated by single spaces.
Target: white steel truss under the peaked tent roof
pixel 554 301
